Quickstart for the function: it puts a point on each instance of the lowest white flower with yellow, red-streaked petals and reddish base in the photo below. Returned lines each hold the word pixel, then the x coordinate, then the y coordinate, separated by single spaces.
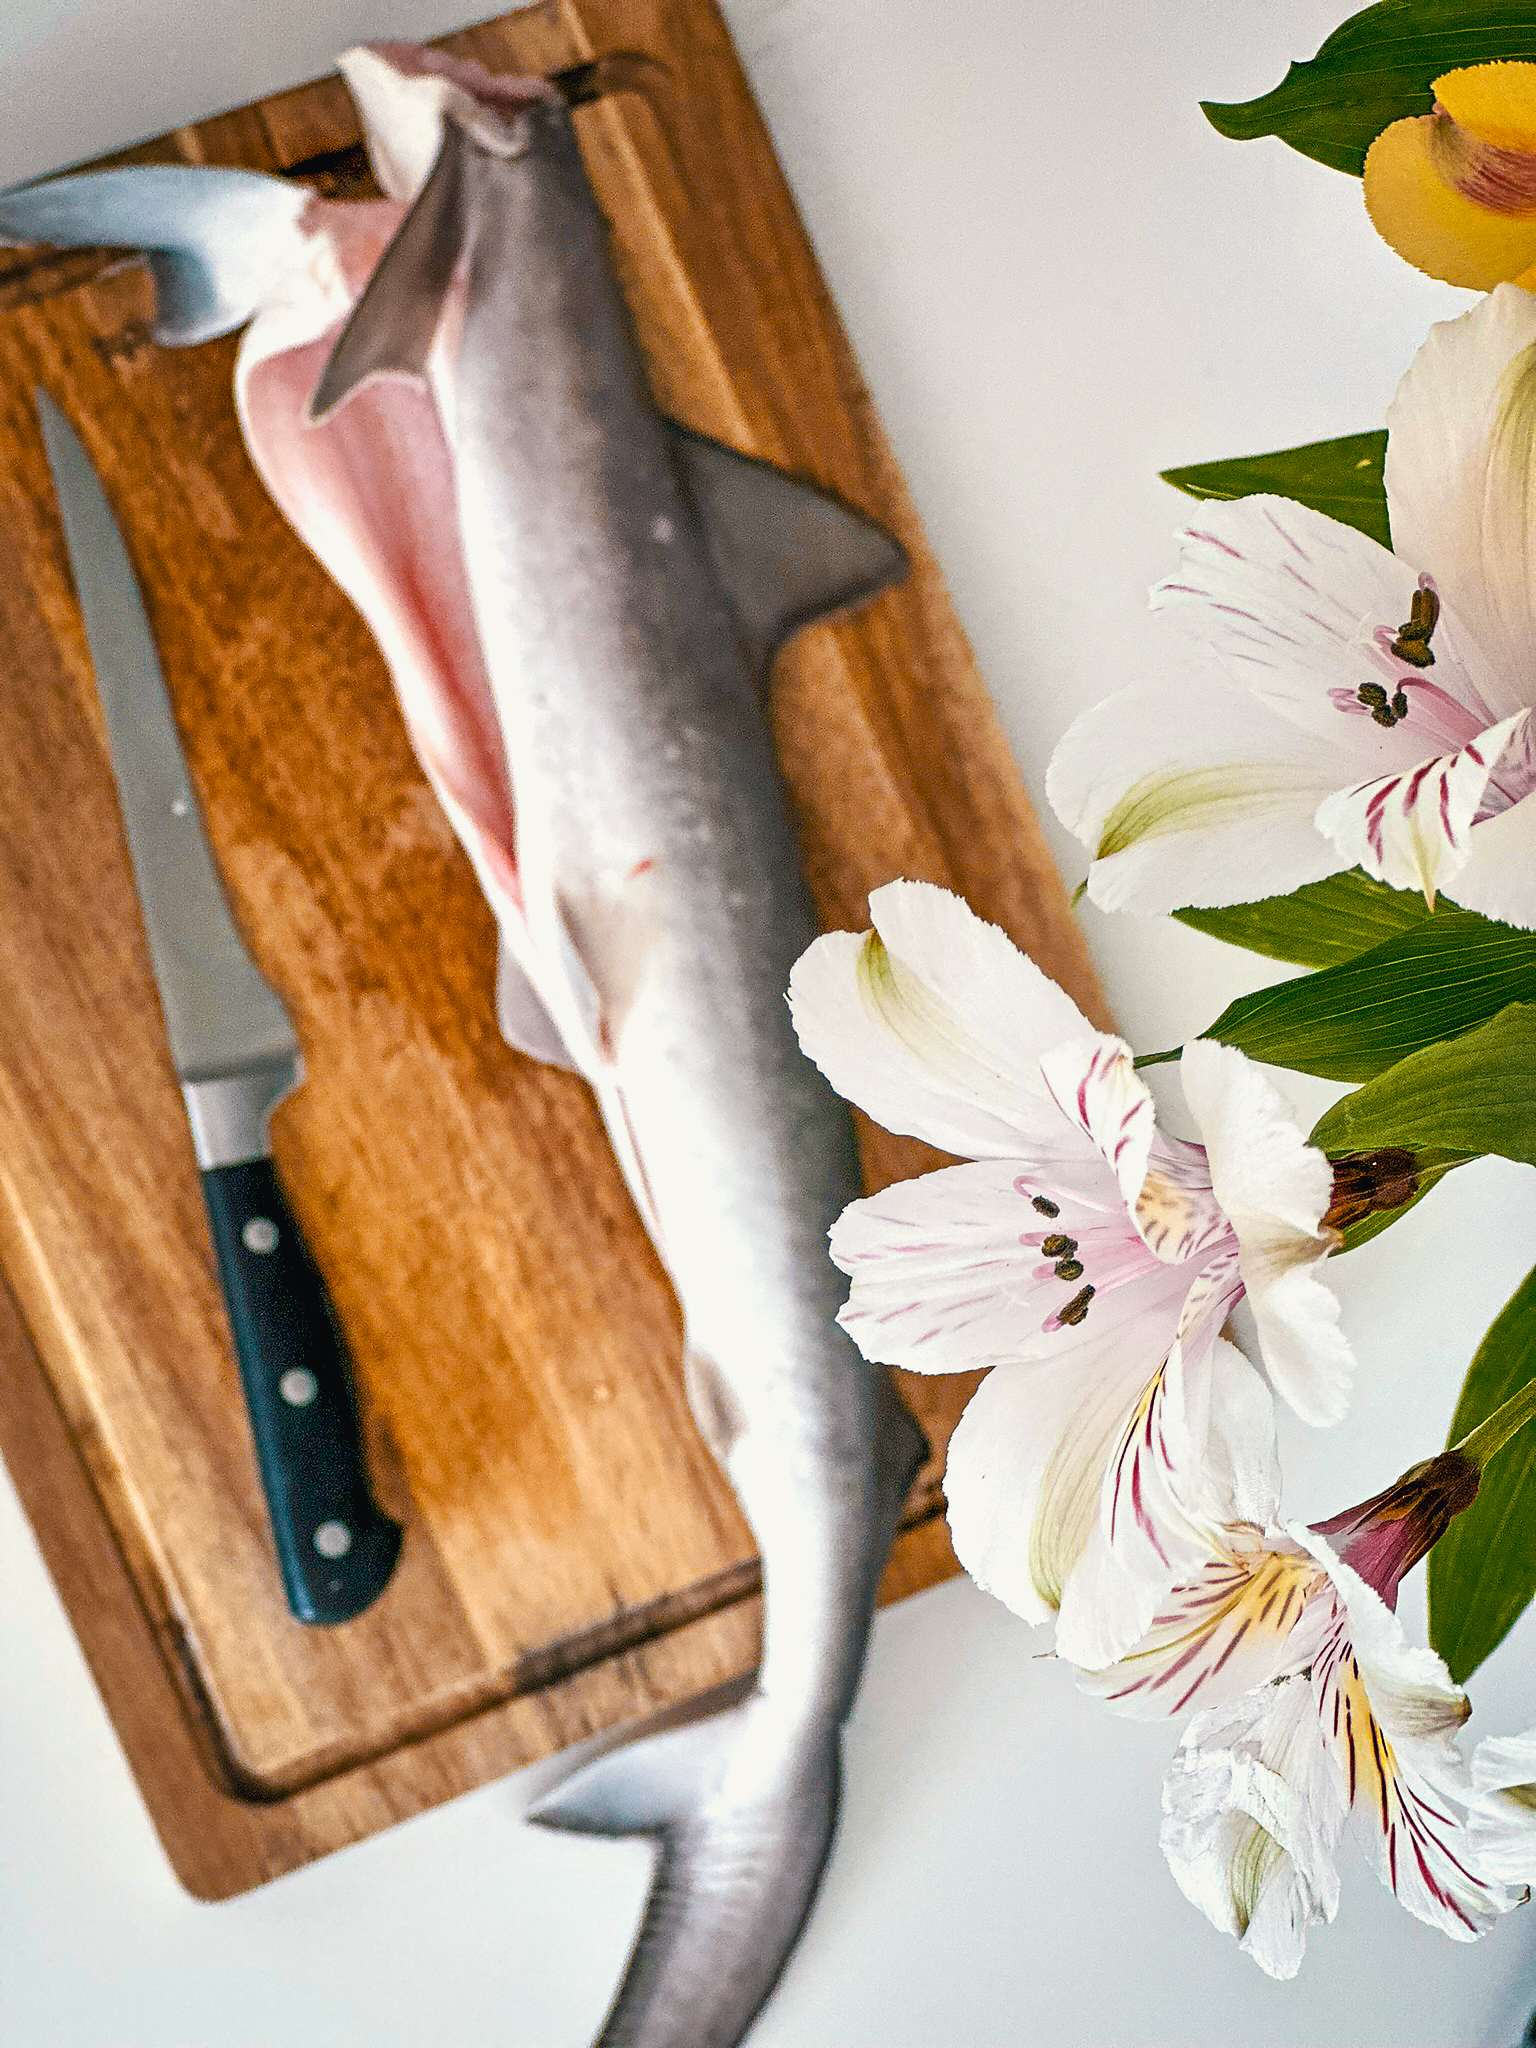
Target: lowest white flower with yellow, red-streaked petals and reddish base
pixel 1316 1711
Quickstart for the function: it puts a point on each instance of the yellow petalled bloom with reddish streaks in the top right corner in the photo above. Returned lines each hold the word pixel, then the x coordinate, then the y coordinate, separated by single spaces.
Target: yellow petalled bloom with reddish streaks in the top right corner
pixel 1455 189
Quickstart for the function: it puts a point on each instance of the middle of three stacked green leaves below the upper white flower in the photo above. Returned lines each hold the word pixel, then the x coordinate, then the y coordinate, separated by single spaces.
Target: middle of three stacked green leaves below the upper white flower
pixel 1349 1023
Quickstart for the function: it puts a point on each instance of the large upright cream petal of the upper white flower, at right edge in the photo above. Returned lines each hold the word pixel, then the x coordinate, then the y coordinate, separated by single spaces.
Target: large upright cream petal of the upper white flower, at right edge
pixel 1459 482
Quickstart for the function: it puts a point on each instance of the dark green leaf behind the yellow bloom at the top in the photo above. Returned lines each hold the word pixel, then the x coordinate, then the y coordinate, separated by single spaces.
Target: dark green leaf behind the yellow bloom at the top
pixel 1375 71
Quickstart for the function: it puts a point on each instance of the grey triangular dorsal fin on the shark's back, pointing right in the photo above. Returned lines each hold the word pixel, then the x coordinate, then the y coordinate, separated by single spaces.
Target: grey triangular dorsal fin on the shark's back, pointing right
pixel 785 552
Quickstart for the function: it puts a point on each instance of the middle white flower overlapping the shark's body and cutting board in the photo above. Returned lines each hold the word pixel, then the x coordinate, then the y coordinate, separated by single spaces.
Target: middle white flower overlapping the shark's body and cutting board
pixel 1082 1254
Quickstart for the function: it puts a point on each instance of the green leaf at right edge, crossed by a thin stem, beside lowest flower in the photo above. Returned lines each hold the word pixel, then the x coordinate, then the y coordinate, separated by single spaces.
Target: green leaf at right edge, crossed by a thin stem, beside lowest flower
pixel 1484 1570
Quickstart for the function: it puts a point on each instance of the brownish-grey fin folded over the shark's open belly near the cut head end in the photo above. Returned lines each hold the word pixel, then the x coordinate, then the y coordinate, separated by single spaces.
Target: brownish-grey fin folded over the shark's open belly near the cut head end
pixel 392 327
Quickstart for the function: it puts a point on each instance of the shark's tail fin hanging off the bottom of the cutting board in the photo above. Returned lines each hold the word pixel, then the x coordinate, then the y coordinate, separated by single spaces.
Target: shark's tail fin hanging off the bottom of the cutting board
pixel 742 1809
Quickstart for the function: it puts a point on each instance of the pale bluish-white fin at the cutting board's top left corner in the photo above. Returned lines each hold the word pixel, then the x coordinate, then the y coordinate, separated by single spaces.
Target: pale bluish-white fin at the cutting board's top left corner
pixel 216 241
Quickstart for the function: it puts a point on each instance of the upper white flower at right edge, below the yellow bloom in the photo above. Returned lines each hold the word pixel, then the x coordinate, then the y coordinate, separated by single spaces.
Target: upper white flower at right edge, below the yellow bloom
pixel 1338 703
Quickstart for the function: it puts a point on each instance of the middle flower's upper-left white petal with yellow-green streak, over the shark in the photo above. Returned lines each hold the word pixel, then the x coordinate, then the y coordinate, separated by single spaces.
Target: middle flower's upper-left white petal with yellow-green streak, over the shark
pixel 935 1025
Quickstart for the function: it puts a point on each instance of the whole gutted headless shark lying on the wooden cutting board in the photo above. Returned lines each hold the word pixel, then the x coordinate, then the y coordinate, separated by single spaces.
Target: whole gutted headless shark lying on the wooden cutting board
pixel 581 603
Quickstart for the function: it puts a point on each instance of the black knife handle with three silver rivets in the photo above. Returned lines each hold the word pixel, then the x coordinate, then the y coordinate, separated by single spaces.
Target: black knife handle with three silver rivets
pixel 335 1545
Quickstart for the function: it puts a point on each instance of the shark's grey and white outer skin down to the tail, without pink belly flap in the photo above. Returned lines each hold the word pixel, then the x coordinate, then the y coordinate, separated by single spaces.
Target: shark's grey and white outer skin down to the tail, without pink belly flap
pixel 630 587
